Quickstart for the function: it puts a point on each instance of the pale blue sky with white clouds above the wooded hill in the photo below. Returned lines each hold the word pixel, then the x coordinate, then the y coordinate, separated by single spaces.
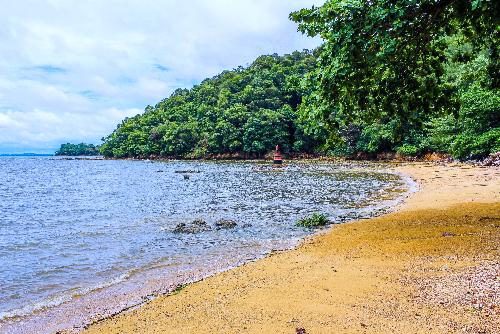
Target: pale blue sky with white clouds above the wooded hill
pixel 70 70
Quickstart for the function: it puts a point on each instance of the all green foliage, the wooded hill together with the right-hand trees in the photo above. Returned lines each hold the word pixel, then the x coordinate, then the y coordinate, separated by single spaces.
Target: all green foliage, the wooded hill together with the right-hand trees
pixel 402 76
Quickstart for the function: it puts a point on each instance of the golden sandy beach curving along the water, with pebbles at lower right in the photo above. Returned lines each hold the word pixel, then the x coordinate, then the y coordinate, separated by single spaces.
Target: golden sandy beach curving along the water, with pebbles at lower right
pixel 431 267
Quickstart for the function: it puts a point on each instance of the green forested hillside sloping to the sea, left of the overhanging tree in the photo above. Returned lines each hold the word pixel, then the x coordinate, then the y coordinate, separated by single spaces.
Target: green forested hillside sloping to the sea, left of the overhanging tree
pixel 245 111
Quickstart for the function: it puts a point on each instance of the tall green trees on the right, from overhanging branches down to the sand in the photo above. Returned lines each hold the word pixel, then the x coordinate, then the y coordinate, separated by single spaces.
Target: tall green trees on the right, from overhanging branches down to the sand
pixel 391 72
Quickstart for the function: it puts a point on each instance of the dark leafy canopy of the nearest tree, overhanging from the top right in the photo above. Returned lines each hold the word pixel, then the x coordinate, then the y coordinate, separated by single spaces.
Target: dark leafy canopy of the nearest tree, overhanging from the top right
pixel 387 56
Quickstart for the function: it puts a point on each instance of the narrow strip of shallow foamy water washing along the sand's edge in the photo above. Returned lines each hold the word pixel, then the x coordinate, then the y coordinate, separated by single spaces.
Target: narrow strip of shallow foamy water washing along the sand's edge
pixel 62 315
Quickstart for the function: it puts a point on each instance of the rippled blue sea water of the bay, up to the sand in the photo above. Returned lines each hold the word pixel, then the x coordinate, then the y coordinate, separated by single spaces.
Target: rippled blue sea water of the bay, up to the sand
pixel 69 228
